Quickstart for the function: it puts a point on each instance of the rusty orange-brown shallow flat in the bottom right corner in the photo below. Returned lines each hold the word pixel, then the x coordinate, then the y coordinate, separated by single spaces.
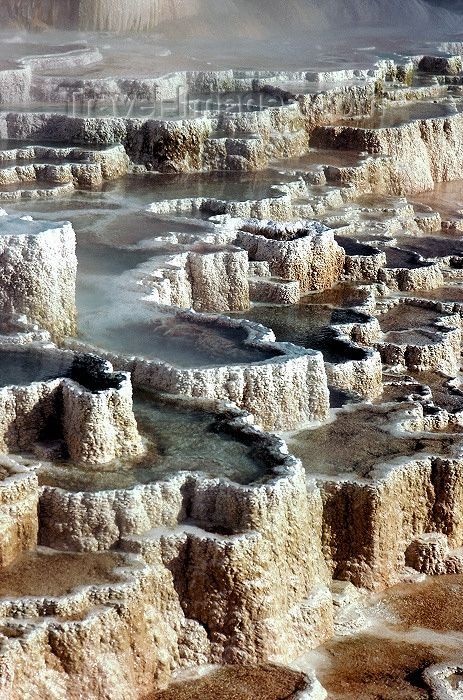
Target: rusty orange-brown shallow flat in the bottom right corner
pixel 387 660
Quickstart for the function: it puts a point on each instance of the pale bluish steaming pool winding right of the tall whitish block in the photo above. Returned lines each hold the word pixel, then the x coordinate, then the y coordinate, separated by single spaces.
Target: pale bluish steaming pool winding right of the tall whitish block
pixel 110 314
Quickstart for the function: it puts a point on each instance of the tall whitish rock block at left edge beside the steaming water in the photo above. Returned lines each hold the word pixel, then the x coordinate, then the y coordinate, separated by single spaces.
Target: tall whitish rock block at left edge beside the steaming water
pixel 38 267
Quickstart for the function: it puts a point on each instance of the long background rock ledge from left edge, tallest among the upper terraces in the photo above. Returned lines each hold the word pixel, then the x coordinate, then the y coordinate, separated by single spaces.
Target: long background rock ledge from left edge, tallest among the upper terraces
pixel 241 141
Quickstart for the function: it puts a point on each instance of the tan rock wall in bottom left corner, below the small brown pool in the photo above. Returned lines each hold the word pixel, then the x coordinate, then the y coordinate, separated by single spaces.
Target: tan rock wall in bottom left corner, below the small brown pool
pixel 123 628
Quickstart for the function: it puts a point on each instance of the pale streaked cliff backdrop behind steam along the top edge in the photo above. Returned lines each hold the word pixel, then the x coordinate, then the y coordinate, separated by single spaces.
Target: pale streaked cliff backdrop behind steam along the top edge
pixel 254 18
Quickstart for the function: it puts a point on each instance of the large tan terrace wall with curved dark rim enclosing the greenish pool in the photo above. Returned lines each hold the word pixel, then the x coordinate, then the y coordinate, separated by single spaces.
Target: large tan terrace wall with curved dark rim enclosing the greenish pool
pixel 206 535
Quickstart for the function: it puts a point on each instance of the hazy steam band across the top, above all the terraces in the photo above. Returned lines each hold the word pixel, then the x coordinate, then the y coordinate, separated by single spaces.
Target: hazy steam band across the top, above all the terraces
pixel 149 36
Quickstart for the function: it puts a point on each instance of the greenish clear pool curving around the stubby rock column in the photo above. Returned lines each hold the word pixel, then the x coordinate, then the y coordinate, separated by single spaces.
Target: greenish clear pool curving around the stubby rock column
pixel 178 438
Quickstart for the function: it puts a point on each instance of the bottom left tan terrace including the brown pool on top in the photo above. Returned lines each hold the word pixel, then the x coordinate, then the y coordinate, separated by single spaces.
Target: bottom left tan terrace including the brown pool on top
pixel 108 603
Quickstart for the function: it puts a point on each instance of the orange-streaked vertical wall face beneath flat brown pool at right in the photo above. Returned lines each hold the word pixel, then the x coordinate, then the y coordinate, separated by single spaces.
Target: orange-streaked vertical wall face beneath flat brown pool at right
pixel 367 527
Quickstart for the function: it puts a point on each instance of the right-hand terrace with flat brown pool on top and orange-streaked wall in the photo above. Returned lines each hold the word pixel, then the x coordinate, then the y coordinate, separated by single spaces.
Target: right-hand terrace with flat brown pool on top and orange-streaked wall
pixel 395 485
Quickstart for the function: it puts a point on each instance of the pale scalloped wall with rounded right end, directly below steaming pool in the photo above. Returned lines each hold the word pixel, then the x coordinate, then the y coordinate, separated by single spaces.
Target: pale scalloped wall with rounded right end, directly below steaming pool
pixel 282 392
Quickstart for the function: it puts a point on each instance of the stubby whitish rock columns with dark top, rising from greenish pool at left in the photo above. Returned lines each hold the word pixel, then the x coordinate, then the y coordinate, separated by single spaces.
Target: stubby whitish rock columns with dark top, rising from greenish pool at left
pixel 96 423
